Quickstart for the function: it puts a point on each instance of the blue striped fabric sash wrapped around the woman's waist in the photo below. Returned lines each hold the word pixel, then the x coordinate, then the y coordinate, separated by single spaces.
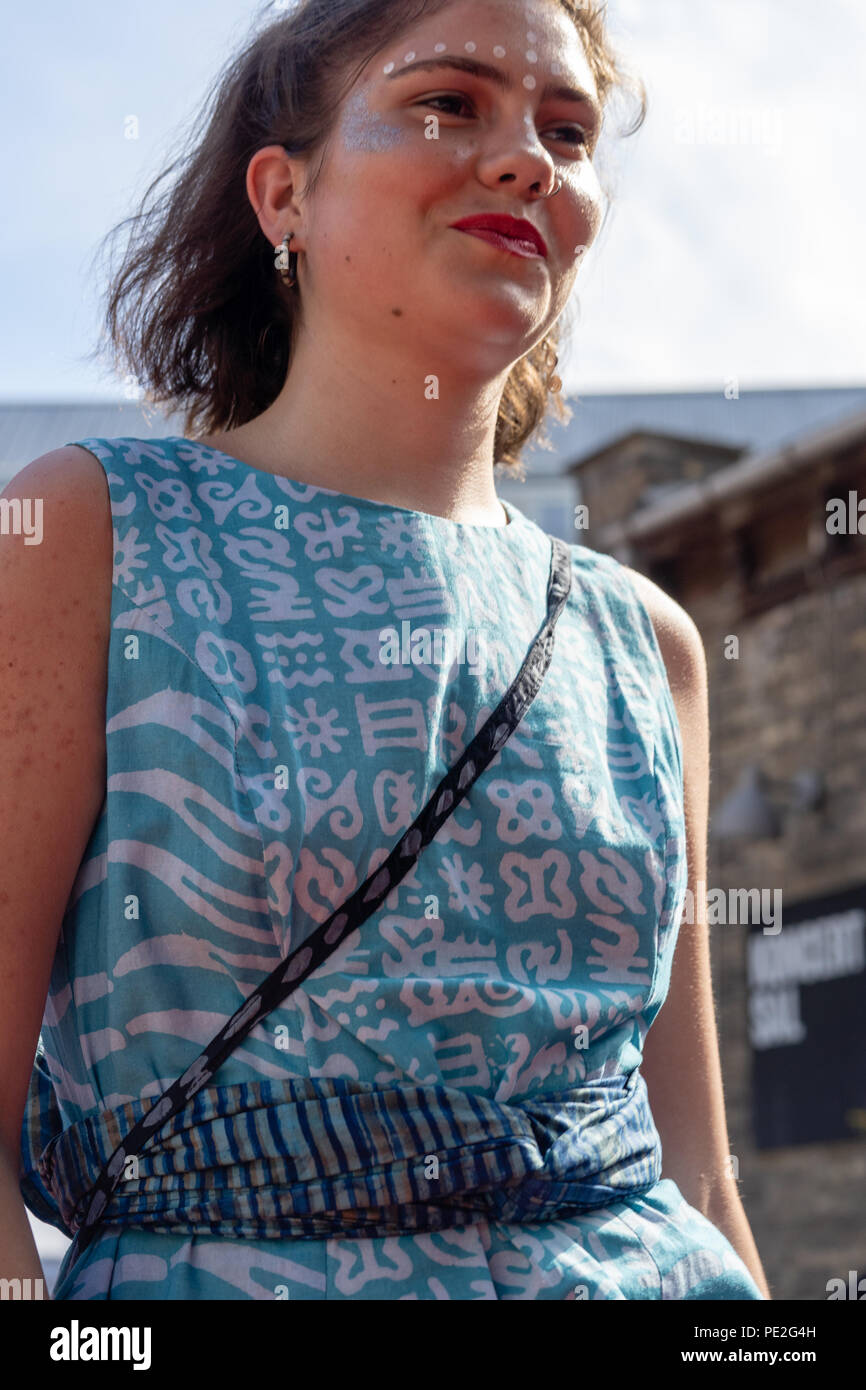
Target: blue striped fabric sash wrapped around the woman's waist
pixel 322 1157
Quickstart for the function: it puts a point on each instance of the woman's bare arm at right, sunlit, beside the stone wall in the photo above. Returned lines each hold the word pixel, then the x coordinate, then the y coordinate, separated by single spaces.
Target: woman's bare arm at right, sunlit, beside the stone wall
pixel 682 1065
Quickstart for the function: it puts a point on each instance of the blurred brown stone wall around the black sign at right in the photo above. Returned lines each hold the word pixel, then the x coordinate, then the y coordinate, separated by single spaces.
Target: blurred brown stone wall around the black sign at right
pixel 796 698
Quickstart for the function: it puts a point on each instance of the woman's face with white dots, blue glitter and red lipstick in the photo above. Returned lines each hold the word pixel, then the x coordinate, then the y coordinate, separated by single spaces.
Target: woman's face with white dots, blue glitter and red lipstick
pixel 419 148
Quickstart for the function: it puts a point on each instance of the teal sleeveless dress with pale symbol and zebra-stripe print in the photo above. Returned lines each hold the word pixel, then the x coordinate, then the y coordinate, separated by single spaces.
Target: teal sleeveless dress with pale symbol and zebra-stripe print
pixel 291 673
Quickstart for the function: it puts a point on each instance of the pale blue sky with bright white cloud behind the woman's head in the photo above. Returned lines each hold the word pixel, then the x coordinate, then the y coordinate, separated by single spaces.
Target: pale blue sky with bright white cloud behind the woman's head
pixel 732 250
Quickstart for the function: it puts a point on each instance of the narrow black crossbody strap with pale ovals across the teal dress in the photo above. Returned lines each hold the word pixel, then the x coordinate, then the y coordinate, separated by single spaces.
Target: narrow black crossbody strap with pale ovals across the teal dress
pixel 330 935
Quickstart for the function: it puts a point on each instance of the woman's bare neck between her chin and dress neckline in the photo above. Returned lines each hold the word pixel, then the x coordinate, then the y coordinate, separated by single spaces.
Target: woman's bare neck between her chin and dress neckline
pixel 373 426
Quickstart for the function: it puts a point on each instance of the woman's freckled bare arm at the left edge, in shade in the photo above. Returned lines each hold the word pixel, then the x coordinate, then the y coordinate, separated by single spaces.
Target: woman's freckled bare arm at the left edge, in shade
pixel 55 623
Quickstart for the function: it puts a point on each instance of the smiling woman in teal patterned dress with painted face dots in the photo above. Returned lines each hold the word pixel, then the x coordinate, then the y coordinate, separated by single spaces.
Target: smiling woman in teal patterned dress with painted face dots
pixel 464 1102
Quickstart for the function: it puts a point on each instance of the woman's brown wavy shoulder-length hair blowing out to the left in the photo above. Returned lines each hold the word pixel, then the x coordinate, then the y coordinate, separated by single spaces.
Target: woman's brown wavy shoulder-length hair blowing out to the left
pixel 197 312
